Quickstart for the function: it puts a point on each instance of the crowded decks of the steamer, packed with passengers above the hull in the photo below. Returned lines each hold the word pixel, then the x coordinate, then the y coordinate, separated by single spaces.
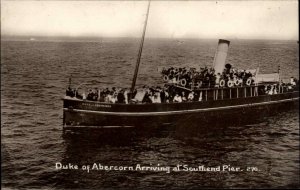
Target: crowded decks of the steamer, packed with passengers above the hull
pixel 188 85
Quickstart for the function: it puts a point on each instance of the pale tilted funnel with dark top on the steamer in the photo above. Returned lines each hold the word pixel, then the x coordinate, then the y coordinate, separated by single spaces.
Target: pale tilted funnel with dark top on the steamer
pixel 220 56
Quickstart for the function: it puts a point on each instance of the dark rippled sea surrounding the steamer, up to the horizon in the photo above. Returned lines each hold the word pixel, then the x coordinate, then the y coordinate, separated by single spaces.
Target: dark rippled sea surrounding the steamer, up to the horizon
pixel 34 75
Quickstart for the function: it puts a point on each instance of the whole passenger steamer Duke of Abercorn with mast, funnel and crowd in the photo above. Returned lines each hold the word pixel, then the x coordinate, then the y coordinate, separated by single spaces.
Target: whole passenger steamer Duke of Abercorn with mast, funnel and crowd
pixel 216 94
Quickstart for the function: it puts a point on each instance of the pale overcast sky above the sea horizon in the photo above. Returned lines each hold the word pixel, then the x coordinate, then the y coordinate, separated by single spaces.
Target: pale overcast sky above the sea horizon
pixel 168 19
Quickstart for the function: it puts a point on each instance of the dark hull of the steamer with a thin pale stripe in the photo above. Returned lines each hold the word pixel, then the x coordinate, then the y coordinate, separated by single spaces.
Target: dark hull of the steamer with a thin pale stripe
pixel 79 113
